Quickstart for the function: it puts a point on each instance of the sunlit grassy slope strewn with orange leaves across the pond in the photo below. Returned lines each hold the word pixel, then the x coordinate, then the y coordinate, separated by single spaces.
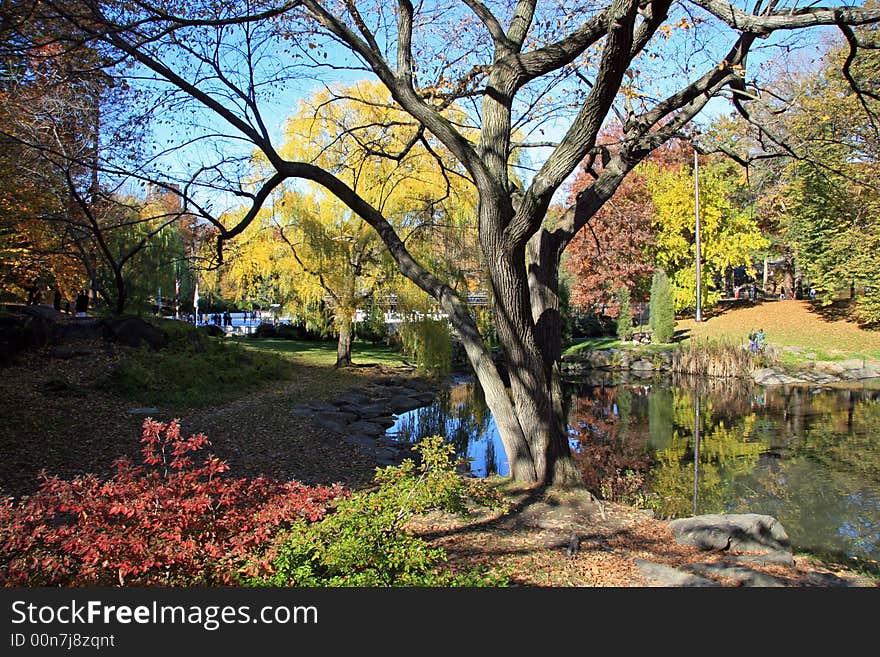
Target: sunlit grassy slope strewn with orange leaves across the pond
pixel 789 323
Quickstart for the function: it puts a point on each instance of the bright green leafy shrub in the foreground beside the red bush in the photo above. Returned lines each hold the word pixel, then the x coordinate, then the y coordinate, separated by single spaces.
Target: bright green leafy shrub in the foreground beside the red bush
pixel 365 542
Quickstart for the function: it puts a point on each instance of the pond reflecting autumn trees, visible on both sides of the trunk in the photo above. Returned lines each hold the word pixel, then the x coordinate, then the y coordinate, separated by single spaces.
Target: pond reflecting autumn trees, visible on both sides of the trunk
pixel 807 456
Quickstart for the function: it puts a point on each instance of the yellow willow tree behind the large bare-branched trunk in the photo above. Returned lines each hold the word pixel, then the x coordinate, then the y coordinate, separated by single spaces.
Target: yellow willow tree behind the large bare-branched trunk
pixel 331 254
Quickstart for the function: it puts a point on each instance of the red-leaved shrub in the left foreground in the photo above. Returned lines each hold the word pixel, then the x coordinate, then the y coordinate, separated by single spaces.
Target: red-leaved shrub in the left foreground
pixel 174 521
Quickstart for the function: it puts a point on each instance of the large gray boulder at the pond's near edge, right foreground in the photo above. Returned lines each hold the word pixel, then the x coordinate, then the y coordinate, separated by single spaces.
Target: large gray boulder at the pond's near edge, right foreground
pixel 744 532
